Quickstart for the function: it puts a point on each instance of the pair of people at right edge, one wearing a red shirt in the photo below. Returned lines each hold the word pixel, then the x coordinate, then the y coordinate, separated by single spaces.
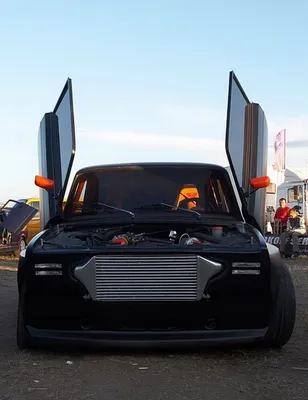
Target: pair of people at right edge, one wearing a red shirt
pixel 292 224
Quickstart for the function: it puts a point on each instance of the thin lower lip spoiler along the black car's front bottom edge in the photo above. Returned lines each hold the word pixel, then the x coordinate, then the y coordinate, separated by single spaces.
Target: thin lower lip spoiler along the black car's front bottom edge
pixel 143 339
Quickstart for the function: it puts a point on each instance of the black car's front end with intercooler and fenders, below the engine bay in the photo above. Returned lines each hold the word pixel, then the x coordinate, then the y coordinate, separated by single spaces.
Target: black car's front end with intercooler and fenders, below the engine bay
pixel 155 292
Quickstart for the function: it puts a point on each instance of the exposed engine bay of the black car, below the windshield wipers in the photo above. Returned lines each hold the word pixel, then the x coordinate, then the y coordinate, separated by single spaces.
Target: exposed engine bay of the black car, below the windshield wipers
pixel 149 235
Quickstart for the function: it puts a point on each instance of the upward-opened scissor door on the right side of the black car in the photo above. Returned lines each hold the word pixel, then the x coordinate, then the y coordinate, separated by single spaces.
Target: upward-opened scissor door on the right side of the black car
pixel 247 148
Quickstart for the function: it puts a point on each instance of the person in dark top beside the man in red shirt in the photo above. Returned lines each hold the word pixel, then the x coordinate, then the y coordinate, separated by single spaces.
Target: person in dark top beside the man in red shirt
pixel 295 227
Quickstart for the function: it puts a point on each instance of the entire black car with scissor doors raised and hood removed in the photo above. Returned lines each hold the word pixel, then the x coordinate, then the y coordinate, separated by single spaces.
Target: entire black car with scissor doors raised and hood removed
pixel 154 254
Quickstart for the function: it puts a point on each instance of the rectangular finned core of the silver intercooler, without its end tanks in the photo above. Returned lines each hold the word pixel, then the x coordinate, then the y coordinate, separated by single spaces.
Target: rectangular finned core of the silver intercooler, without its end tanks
pixel 146 278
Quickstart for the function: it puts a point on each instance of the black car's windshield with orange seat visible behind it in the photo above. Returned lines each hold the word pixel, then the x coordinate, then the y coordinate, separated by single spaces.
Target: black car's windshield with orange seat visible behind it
pixel 143 189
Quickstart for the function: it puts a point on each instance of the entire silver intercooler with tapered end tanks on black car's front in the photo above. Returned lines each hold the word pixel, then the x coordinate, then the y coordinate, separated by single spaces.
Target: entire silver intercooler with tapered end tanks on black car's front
pixel 151 277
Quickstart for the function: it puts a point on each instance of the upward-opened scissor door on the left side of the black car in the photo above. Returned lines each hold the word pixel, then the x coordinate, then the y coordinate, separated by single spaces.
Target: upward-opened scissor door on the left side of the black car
pixel 56 149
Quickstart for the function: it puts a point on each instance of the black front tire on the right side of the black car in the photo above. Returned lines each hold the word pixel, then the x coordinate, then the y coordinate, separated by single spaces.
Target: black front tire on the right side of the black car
pixel 283 315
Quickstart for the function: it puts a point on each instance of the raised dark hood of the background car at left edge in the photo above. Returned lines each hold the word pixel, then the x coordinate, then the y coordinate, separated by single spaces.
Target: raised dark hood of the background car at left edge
pixel 16 217
